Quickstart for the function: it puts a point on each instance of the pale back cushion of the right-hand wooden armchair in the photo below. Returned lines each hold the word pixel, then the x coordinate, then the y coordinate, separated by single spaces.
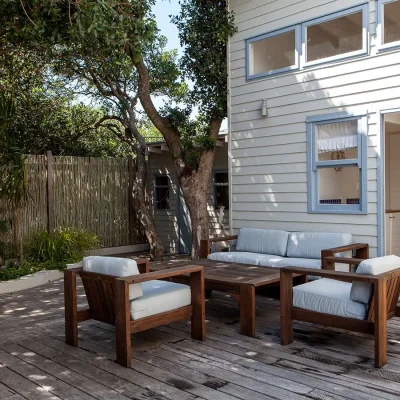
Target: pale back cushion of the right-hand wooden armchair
pixel 362 291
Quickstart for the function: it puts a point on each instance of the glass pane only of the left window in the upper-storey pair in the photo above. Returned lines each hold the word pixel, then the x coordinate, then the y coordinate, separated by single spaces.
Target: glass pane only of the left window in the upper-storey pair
pixel 273 53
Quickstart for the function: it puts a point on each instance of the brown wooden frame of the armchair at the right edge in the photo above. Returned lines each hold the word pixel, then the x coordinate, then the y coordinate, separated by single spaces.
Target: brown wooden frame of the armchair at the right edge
pixel 381 307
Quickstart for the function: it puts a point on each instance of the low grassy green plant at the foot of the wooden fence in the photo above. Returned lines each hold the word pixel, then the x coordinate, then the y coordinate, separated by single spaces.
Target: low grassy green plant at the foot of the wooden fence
pixel 66 246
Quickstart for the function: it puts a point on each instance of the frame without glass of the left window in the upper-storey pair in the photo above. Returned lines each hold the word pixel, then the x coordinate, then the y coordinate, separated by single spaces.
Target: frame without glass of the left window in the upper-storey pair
pixel 296 29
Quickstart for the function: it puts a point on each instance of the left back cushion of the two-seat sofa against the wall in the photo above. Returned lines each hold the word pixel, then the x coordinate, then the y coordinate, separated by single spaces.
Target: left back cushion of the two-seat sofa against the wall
pixel 262 241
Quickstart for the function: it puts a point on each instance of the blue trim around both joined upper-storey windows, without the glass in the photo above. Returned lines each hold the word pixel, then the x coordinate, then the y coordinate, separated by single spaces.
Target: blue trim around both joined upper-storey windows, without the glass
pixel 301 39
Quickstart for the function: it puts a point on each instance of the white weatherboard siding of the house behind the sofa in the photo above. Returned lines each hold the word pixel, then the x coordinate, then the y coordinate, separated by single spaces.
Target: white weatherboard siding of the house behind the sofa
pixel 268 155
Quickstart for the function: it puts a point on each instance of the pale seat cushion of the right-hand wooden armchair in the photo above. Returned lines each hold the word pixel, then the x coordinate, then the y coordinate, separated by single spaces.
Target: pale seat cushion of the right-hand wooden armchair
pixel 328 296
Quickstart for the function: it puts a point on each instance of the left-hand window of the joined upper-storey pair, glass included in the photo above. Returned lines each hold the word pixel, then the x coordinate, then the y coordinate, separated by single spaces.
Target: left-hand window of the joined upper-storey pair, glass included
pixel 274 52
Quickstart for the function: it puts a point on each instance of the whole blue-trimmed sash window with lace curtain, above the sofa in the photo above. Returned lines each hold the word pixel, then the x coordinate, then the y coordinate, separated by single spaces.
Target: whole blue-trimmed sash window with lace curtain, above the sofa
pixel 337 164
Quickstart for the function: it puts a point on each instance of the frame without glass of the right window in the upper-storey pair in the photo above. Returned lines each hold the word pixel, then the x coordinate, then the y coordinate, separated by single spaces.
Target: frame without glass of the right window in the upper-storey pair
pixel 363 8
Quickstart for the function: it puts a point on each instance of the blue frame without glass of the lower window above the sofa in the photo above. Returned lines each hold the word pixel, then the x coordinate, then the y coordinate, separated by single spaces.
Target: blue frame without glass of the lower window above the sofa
pixel 313 165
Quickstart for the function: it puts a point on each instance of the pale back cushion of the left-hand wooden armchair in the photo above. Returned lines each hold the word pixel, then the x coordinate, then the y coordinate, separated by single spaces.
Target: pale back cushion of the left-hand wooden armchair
pixel 113 266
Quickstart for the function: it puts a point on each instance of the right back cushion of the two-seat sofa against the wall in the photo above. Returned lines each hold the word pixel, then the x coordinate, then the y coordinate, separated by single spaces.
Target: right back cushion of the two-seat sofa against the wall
pixel 310 244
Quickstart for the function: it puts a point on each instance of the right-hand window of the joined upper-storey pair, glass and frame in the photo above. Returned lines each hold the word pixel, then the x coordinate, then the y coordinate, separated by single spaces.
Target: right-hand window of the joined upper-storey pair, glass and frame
pixel 336 36
